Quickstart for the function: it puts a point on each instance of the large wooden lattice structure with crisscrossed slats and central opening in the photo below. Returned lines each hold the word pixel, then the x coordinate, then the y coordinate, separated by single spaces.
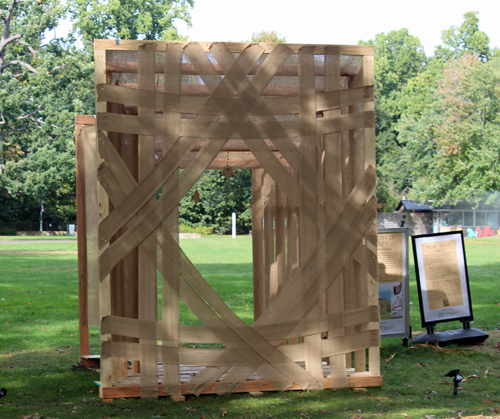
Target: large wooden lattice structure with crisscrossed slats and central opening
pixel 302 118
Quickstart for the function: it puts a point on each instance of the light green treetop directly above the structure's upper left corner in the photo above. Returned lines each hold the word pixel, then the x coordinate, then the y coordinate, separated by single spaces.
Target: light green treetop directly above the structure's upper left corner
pixel 129 19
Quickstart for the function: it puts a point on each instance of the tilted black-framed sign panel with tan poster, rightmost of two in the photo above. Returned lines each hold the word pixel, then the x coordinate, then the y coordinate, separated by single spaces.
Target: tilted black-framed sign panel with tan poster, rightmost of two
pixel 442 279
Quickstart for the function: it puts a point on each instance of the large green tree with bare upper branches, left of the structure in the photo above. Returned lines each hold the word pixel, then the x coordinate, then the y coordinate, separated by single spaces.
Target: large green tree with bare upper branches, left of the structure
pixel 42 88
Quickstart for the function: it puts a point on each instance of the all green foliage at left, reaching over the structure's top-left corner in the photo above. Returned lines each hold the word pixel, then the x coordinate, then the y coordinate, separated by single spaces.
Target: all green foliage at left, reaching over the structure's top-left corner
pixel 43 87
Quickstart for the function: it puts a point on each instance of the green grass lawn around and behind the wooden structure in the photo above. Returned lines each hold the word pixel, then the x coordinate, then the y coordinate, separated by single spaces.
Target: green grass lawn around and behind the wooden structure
pixel 39 345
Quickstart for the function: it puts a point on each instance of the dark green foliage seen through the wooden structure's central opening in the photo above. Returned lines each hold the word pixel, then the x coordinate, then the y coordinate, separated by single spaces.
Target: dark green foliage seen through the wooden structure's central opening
pixel 219 198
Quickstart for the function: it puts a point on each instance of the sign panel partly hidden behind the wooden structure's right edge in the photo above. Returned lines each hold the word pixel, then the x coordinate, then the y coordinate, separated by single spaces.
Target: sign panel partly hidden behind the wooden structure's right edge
pixel 393 279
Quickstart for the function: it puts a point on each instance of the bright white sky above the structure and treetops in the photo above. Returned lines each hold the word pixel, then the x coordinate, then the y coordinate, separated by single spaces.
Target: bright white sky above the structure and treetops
pixel 336 22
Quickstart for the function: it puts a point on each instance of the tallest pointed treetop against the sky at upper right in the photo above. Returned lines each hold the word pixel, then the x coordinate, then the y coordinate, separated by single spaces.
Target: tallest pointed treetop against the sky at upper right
pixel 464 39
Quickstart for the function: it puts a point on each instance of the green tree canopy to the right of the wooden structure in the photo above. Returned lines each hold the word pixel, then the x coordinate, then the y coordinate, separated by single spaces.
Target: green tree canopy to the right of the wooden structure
pixel 437 117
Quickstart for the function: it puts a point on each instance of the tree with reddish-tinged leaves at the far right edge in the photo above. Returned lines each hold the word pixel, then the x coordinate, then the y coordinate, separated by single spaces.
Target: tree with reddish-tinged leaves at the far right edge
pixel 454 146
